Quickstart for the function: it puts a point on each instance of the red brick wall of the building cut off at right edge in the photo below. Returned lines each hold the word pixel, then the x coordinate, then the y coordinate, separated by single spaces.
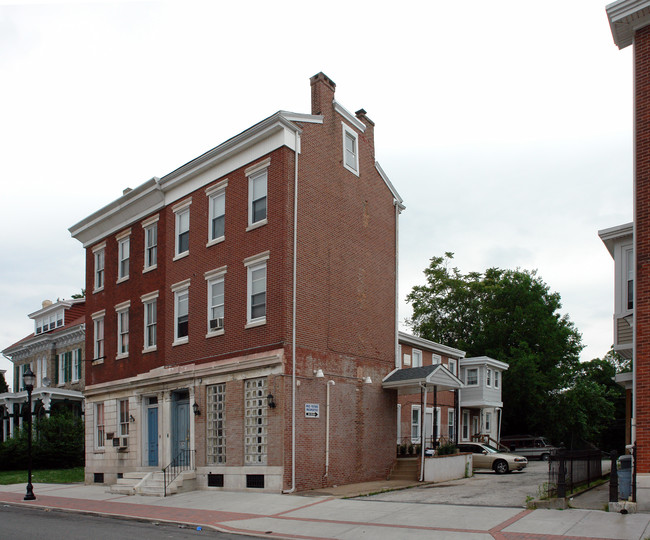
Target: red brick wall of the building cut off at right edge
pixel 642 245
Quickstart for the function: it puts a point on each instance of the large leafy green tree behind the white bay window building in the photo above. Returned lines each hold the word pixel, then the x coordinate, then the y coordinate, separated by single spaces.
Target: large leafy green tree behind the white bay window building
pixel 509 315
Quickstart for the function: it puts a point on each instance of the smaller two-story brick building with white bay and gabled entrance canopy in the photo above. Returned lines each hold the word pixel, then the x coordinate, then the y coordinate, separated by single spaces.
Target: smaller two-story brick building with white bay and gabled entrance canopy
pixel 468 389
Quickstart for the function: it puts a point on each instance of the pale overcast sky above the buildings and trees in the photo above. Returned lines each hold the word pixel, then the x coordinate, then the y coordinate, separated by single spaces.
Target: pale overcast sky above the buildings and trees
pixel 505 126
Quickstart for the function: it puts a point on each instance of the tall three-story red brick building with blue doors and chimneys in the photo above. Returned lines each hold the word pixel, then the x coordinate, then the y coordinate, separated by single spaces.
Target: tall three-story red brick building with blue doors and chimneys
pixel 254 286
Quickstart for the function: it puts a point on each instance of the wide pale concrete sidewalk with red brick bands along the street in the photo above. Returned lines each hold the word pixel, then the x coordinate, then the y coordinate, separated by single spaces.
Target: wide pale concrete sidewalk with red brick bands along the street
pixel 328 517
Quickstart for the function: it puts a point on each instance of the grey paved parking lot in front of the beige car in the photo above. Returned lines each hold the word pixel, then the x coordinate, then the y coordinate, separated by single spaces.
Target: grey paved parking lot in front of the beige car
pixel 485 488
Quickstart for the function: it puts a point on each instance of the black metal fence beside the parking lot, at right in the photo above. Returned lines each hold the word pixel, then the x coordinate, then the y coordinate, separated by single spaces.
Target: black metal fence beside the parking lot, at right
pixel 569 469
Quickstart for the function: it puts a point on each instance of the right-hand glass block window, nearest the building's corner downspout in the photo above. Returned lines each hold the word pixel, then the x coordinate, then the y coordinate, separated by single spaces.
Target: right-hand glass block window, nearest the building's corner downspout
pixel 256 421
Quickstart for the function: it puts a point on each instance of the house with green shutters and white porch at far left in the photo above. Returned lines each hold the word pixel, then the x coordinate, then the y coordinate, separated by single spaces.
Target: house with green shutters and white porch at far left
pixel 55 353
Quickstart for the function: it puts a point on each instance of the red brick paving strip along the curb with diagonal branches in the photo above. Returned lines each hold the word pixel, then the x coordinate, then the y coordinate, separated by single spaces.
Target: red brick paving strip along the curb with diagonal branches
pixel 218 519
